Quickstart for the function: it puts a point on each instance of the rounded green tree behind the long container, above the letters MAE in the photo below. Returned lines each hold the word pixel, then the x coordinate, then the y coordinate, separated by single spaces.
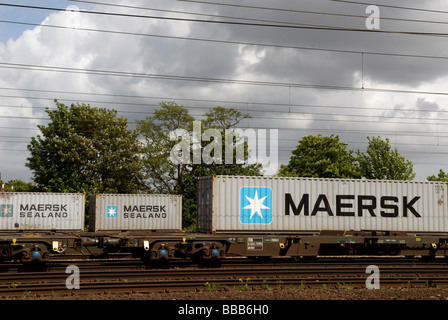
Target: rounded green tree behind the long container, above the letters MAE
pixel 321 157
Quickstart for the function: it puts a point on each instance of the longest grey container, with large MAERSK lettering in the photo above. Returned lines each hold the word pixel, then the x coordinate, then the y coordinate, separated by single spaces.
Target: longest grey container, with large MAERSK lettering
pixel 295 205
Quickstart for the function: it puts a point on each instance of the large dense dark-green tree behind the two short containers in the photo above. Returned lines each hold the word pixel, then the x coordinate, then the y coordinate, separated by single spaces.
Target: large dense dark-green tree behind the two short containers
pixel 86 149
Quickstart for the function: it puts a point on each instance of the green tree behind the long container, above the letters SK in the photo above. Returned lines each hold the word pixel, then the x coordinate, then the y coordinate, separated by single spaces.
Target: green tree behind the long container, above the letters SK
pixel 382 163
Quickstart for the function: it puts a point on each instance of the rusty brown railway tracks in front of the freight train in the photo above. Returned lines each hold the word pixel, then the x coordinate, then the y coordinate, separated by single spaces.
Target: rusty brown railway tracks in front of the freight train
pixel 236 274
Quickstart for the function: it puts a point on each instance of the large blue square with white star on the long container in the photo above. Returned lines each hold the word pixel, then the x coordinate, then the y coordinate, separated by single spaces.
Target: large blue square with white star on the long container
pixel 256 205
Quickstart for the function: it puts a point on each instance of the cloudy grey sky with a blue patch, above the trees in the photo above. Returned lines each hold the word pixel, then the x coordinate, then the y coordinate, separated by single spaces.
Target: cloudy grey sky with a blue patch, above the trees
pixel 268 59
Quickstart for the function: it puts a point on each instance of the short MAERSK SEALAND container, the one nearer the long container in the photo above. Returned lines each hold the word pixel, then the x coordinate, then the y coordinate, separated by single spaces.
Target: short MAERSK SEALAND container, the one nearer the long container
pixel 132 212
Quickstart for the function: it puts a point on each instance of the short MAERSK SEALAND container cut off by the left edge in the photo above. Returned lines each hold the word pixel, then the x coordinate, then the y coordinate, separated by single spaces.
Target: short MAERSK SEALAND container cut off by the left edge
pixel 42 211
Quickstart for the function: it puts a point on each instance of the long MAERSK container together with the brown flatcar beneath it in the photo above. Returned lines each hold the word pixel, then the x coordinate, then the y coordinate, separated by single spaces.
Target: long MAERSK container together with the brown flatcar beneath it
pixel 308 217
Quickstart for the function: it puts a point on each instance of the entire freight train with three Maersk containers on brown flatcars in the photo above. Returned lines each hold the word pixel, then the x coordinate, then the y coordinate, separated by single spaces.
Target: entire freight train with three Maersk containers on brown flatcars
pixel 258 217
